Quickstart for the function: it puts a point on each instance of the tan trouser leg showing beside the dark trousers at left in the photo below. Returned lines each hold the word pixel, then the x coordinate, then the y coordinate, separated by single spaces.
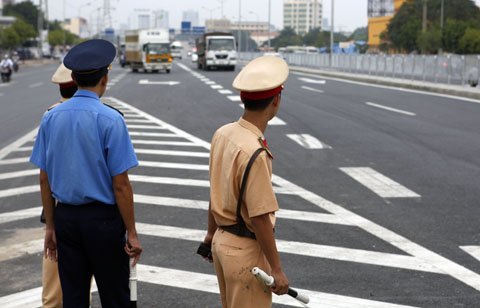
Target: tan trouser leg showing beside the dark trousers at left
pixel 52 291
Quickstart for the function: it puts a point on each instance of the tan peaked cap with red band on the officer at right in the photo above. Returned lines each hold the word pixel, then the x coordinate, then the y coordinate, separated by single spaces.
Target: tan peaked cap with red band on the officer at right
pixel 262 77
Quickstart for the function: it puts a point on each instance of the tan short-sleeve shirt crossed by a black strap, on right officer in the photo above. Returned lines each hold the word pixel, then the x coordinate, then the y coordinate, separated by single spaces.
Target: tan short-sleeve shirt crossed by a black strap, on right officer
pixel 232 146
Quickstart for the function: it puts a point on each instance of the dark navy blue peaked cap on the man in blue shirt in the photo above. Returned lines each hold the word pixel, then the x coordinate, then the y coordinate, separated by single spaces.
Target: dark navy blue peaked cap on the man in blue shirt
pixel 90 57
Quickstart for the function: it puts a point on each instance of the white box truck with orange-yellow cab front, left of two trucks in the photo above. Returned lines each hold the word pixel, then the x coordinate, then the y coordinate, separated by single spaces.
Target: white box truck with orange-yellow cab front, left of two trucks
pixel 148 49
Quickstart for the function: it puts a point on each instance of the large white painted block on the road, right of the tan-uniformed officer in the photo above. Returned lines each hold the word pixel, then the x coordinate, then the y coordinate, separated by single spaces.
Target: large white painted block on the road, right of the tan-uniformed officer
pixel 378 183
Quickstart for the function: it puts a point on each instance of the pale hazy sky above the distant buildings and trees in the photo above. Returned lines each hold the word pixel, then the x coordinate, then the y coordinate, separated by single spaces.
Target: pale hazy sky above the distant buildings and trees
pixel 349 14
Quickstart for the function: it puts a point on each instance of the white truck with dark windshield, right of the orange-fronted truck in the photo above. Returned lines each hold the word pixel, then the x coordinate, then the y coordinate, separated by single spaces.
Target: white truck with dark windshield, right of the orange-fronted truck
pixel 216 50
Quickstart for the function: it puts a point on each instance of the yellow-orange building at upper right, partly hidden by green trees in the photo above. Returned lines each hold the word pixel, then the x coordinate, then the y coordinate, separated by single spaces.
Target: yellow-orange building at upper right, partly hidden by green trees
pixel 380 12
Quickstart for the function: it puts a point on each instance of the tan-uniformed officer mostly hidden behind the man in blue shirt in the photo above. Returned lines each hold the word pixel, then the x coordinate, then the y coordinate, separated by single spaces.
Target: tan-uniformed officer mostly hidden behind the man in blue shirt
pixel 52 291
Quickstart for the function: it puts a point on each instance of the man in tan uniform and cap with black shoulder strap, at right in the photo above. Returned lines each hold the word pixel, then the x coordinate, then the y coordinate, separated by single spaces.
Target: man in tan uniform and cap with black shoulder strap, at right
pixel 242 240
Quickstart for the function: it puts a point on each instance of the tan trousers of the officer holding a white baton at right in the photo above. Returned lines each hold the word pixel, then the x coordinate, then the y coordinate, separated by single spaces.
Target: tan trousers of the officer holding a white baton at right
pixel 234 257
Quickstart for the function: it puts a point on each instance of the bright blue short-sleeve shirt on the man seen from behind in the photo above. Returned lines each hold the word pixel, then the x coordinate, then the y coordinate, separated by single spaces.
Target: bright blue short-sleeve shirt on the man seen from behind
pixel 81 144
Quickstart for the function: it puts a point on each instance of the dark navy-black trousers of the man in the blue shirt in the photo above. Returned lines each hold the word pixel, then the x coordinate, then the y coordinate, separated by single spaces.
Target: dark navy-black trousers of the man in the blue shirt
pixel 90 241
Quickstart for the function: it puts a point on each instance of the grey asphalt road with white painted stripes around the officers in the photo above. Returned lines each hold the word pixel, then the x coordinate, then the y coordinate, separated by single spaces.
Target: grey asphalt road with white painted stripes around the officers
pixel 378 188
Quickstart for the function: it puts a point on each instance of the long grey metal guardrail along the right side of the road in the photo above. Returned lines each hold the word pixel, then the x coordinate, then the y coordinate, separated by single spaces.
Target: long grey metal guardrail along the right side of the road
pixel 448 69
